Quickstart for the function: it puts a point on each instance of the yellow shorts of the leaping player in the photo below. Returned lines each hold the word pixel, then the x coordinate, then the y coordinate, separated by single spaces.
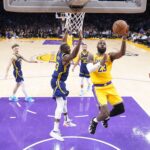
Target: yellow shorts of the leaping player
pixel 106 94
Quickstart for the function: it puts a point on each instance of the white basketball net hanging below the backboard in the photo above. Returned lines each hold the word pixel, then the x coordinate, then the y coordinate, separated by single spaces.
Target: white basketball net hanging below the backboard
pixel 74 21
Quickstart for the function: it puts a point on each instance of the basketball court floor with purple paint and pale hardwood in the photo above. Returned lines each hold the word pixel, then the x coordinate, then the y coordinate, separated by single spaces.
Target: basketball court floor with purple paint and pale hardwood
pixel 26 126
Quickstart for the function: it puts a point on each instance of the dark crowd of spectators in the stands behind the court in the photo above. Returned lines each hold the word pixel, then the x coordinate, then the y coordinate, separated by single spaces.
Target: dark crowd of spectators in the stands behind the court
pixel 95 25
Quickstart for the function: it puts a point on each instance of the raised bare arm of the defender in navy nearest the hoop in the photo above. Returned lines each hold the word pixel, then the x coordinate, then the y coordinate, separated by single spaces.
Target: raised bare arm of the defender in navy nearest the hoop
pixel 69 57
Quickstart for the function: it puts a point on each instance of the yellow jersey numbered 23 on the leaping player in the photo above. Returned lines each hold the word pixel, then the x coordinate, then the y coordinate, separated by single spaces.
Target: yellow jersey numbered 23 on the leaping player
pixel 103 74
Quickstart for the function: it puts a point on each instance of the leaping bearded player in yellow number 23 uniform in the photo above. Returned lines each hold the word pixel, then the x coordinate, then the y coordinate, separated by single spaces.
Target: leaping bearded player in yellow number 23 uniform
pixel 103 89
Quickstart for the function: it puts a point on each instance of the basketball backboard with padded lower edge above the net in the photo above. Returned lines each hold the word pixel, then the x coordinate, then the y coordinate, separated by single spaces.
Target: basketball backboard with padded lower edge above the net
pixel 88 6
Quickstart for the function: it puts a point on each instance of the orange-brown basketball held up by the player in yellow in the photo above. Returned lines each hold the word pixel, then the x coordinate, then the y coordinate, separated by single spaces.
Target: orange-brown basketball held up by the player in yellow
pixel 120 27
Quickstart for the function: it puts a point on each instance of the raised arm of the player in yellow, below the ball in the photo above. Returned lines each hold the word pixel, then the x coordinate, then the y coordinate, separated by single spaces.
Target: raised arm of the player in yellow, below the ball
pixel 117 55
